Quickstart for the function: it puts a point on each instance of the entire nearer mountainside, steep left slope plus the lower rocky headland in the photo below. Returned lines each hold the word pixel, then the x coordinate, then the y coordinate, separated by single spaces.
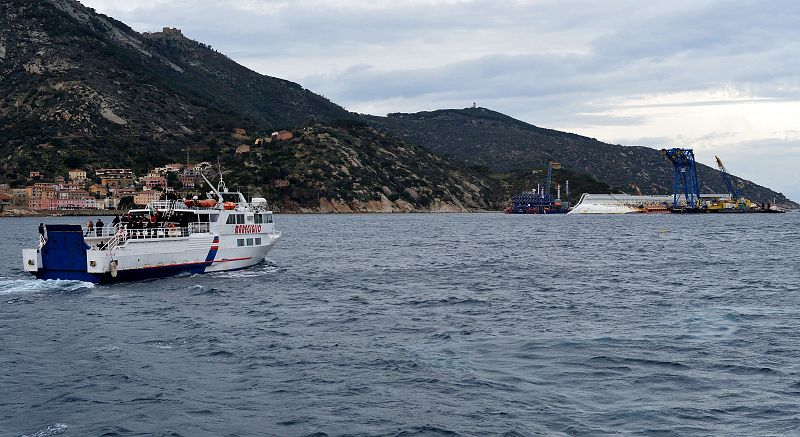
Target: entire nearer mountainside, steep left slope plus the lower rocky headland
pixel 84 90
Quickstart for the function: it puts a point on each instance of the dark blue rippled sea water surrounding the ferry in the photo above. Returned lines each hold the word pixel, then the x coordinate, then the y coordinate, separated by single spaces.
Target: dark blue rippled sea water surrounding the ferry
pixel 425 324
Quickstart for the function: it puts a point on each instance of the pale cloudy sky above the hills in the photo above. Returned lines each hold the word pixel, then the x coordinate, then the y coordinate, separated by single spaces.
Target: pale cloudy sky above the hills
pixel 721 77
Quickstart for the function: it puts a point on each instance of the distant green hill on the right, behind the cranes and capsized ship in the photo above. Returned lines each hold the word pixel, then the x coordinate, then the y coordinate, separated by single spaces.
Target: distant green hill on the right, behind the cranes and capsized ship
pixel 481 137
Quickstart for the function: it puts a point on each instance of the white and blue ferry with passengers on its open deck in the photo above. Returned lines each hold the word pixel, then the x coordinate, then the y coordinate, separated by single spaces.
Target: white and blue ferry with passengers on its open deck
pixel 222 232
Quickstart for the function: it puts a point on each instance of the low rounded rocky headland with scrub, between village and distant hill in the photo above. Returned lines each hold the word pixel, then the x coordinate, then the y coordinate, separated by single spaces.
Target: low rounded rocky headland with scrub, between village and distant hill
pixel 350 167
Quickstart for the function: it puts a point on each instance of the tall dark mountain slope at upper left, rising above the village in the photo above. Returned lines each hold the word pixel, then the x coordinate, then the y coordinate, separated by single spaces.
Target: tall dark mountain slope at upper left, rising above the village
pixel 79 84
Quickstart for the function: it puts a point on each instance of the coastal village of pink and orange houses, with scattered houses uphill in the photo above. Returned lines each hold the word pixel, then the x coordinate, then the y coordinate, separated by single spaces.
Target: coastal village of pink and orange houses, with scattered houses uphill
pixel 115 189
